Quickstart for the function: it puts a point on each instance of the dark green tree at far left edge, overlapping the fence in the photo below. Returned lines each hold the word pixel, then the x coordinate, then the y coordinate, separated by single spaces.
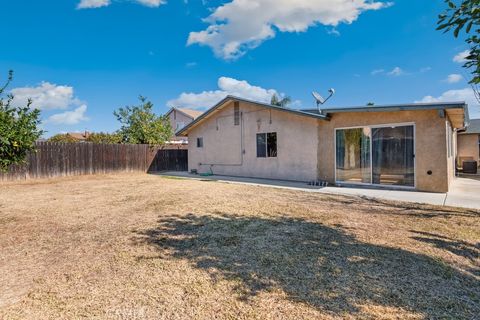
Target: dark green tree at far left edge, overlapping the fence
pixel 18 129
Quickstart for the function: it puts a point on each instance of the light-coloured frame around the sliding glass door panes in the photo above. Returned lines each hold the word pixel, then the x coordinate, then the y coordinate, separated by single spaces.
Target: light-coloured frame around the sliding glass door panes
pixel 376 126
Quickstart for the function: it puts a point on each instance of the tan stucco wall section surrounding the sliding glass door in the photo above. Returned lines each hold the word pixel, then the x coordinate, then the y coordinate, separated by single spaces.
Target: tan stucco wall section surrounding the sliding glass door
pixel 430 144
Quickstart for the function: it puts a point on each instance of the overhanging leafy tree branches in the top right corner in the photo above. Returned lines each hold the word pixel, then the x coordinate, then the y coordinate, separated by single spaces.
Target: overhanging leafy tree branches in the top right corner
pixel 465 17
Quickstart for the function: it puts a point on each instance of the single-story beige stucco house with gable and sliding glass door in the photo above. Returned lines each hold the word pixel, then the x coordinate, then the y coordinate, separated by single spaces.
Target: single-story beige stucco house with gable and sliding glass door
pixel 397 146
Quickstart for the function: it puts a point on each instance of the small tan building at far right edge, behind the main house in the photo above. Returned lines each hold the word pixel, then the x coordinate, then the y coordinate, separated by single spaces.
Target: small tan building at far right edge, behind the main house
pixel 469 142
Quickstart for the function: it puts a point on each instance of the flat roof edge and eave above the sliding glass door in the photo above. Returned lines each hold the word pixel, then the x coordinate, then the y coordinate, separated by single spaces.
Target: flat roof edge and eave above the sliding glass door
pixel 456 111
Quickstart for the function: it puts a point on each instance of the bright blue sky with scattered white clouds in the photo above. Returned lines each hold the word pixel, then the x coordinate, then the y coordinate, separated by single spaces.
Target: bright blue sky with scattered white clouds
pixel 82 59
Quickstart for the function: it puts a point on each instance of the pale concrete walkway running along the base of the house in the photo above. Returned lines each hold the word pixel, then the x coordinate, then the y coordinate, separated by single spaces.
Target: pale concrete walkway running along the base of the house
pixel 465 191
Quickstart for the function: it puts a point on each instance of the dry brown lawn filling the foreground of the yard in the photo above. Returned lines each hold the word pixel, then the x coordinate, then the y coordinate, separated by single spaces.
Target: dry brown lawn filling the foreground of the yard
pixel 149 247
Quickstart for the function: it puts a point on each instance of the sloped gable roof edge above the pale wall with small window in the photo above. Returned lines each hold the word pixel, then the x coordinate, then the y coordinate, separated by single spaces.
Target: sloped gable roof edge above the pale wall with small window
pixel 229 98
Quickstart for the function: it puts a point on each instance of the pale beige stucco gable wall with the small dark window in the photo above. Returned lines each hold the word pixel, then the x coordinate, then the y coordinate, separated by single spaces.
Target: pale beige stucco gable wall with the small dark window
pixel 297 143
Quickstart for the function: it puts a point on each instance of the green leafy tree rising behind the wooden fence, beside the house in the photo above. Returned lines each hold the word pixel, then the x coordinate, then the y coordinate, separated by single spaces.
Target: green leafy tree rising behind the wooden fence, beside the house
pixel 140 125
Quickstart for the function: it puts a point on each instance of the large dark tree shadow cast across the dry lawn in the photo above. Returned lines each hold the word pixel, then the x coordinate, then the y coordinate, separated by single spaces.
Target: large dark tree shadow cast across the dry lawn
pixel 321 266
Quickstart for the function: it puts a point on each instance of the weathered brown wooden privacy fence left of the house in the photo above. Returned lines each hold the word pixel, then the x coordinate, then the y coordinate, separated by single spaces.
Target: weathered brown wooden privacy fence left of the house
pixel 65 159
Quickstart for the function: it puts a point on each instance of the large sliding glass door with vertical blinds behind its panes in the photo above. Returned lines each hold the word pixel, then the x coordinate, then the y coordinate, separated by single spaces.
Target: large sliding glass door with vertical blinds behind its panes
pixel 376 155
